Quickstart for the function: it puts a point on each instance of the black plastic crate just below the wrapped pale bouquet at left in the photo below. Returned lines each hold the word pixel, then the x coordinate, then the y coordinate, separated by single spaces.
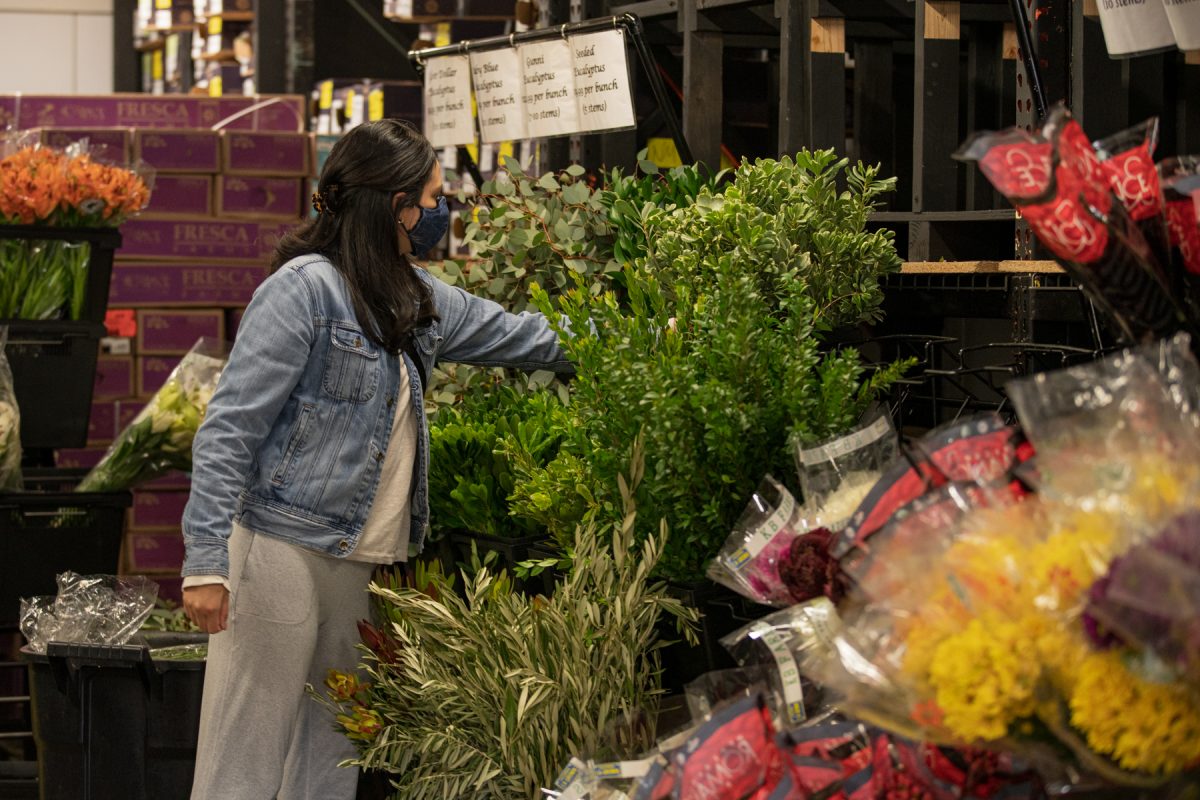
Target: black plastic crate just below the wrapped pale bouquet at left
pixel 50 530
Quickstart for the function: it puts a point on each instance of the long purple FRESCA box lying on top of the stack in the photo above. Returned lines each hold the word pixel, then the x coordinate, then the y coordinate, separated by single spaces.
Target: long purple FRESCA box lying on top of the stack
pixel 271 112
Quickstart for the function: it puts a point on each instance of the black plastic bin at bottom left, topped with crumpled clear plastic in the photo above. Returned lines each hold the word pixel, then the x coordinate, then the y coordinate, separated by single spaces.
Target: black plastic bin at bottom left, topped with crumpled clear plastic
pixel 112 724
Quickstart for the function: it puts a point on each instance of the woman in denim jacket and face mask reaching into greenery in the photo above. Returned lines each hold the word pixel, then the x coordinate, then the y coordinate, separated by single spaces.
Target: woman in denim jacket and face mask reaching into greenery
pixel 310 468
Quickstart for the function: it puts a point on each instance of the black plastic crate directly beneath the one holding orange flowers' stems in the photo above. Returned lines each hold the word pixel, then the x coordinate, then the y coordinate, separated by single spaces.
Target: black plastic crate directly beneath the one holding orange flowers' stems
pixel 55 374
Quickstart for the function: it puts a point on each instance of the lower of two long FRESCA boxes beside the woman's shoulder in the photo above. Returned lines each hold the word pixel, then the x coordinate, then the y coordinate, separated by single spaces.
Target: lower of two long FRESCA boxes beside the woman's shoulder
pixel 185 285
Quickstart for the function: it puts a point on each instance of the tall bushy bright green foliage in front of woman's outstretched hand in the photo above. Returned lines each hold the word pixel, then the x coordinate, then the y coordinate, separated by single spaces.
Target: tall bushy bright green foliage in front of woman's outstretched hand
pixel 716 353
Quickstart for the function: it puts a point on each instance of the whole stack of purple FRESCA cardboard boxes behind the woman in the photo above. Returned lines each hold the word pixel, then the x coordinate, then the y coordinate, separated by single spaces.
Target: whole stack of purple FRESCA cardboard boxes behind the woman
pixel 189 263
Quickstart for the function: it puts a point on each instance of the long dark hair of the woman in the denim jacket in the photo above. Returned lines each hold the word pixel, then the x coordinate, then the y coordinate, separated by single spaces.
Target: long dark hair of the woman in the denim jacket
pixel 357 230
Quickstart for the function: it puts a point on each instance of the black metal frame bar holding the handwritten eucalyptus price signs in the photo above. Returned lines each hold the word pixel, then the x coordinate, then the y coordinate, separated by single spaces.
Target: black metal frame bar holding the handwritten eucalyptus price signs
pixel 634 28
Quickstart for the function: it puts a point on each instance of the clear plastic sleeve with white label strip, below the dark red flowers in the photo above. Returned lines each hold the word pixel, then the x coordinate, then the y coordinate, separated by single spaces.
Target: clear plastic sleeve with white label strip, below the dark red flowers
pixel 779 642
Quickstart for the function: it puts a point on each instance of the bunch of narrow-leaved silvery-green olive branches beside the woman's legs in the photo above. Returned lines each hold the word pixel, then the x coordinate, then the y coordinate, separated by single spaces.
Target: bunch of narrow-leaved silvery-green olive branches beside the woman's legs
pixel 489 694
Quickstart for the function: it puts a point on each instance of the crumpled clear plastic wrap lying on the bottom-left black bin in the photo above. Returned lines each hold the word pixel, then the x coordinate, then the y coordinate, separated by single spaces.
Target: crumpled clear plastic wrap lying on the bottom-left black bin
pixel 91 610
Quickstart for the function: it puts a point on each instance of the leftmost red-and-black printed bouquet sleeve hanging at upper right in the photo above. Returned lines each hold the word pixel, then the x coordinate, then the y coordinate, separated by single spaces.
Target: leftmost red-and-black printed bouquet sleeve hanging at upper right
pixel 1058 183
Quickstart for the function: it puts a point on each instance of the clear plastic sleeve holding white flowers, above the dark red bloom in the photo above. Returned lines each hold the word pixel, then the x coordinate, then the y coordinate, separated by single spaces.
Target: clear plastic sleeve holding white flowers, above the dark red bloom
pixel 837 476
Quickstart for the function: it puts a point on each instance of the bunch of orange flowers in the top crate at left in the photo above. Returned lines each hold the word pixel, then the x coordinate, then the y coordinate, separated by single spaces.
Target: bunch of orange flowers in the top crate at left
pixel 44 187
